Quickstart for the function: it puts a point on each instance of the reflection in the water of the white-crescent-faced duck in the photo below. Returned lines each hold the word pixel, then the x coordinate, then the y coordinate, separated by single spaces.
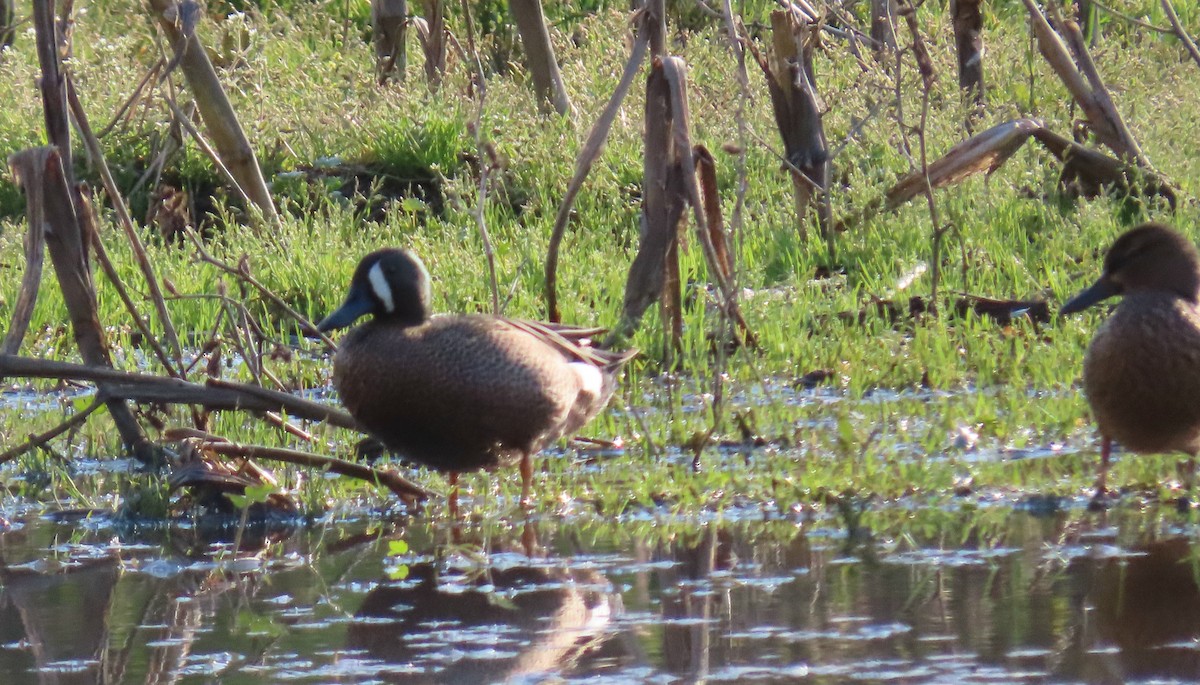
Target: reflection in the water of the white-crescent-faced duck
pixel 517 617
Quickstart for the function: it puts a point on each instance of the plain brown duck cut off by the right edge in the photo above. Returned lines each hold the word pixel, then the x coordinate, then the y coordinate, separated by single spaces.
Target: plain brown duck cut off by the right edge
pixel 1143 370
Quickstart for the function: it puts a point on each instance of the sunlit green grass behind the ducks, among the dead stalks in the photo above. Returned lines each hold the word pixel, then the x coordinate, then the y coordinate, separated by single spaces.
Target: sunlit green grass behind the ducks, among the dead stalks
pixel 901 395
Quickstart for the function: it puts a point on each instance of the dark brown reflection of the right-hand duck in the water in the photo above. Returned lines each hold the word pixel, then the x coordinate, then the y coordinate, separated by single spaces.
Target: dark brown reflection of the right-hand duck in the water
pixel 1148 605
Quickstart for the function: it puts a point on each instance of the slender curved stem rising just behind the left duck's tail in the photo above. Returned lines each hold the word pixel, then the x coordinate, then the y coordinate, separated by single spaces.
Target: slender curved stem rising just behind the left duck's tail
pixel 589 155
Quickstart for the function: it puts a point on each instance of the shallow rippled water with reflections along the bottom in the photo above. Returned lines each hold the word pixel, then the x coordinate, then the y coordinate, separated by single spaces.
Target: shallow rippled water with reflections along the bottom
pixel 953 593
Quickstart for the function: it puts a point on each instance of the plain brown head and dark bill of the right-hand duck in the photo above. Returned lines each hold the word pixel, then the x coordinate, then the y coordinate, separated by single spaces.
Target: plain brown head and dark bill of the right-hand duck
pixel 1150 259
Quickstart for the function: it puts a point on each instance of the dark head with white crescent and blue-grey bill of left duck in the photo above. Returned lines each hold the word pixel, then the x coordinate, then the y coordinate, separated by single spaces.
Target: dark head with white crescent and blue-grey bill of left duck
pixel 388 284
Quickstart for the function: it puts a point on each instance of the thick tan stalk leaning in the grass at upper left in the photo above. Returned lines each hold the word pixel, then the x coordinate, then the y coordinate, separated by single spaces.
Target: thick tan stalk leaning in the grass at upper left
pixel 178 23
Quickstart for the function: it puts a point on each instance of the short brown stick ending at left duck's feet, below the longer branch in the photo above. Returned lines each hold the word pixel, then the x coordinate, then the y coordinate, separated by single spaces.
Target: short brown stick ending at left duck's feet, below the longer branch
pixel 400 486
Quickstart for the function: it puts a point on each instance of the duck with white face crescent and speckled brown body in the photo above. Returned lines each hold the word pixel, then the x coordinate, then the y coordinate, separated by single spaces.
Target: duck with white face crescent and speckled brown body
pixel 461 393
